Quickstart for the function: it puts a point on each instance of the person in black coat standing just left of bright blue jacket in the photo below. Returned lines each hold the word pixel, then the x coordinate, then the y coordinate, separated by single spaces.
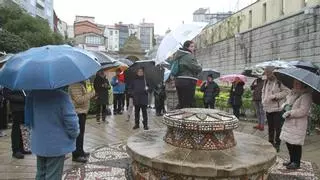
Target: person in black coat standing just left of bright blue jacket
pixel 101 86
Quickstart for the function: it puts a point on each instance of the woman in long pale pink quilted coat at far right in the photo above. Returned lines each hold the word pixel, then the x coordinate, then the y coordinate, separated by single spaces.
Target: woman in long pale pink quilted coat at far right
pixel 295 126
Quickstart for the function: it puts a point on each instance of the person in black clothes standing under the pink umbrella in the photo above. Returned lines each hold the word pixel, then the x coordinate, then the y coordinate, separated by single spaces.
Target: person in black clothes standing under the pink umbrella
pixel 235 99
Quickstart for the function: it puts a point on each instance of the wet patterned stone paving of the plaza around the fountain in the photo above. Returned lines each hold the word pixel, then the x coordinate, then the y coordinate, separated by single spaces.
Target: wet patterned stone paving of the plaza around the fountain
pixel 108 160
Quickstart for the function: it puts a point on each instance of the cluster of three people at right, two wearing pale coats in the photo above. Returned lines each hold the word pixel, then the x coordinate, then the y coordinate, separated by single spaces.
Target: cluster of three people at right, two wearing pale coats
pixel 286 112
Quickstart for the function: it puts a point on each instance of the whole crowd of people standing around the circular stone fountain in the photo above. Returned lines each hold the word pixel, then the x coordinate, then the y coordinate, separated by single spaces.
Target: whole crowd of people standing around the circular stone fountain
pixel 58 117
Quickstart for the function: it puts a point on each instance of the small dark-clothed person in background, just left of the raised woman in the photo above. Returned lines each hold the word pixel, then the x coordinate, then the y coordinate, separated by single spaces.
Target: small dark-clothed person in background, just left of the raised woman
pixel 160 97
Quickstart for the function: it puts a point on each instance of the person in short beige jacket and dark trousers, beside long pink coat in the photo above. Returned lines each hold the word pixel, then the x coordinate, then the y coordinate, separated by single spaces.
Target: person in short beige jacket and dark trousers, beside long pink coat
pixel 273 96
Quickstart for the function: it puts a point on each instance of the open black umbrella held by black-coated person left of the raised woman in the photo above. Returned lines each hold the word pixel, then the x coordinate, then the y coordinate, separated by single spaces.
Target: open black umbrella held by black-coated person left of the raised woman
pixel 153 73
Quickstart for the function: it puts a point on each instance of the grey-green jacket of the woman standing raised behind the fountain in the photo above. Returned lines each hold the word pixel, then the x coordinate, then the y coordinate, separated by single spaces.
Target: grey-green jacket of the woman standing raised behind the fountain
pixel 188 66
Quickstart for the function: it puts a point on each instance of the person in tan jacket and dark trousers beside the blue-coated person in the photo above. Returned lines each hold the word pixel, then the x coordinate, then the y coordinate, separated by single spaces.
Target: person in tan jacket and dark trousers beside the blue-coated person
pixel 81 101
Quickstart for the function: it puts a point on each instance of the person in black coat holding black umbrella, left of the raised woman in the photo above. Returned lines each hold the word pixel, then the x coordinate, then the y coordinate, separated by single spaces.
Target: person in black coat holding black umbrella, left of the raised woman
pixel 139 89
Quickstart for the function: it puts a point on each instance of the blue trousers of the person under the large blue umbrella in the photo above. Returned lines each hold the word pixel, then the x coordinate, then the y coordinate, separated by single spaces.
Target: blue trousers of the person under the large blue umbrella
pixel 49 168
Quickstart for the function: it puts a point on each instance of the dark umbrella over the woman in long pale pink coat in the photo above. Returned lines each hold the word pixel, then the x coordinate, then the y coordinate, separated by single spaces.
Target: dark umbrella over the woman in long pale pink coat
pixel 286 77
